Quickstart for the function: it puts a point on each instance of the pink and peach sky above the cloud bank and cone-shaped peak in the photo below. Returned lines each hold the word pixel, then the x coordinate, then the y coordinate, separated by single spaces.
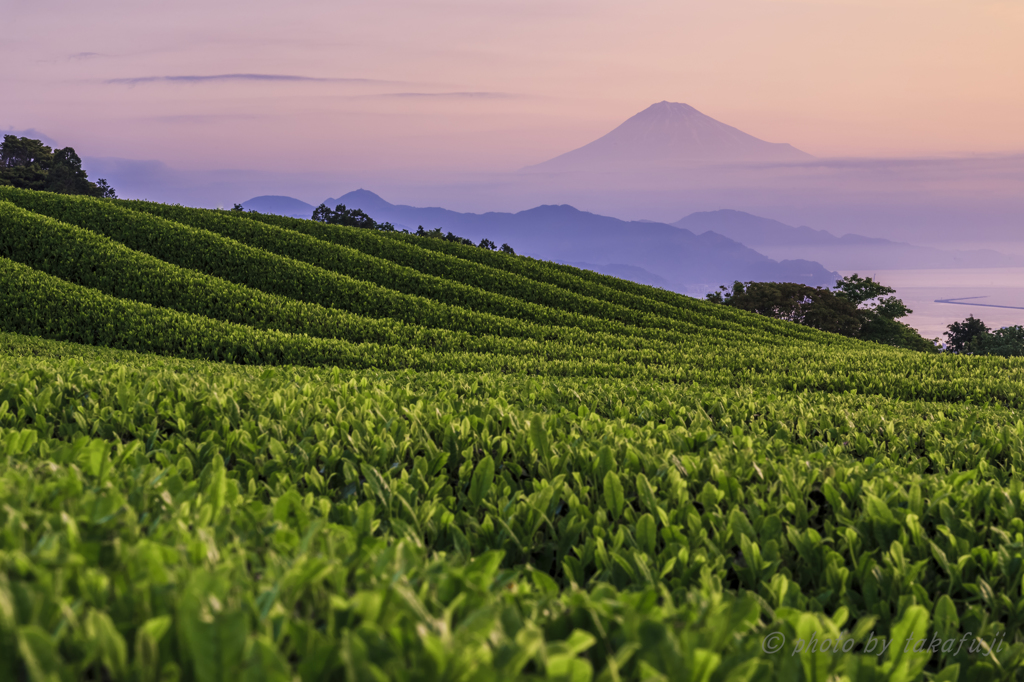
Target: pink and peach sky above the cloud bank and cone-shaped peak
pixel 496 86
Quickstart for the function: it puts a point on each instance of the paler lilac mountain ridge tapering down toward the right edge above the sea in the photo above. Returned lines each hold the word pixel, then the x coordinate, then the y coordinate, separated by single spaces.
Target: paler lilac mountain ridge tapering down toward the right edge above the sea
pixel 849 252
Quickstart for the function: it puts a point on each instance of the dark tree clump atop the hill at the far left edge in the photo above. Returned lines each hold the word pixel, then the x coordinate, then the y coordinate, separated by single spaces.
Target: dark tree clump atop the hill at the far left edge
pixel 28 164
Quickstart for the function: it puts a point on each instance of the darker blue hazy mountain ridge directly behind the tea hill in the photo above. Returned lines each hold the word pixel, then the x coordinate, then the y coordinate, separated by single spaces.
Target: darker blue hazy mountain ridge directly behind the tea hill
pixel 688 263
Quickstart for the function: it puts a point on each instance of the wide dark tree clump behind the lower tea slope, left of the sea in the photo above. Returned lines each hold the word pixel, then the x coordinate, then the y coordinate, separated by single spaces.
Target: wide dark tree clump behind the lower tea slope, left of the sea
pixel 858 308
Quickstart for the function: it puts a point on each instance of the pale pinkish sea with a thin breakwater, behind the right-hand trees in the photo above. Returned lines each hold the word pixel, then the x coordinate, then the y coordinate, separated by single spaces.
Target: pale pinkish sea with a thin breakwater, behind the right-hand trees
pixel 992 287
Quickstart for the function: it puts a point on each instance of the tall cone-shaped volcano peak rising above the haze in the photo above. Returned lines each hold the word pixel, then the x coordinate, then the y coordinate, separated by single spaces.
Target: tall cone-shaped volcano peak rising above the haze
pixel 671 135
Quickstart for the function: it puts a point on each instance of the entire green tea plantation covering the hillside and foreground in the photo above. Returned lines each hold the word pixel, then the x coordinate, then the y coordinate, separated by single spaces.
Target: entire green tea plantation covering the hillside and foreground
pixel 245 447
